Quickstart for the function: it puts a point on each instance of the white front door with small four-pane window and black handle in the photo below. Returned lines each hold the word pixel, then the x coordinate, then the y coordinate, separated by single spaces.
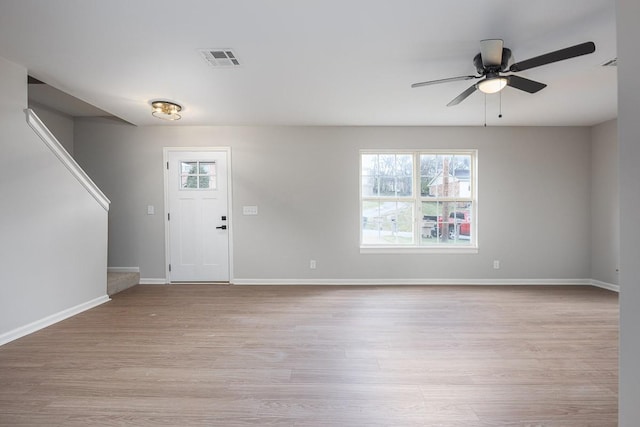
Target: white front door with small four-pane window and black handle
pixel 198 215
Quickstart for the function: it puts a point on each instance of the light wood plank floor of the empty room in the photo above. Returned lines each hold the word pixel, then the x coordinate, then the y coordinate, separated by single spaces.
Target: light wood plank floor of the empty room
pixel 214 355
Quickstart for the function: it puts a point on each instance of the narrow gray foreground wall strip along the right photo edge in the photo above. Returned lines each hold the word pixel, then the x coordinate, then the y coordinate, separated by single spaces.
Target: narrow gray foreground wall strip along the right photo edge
pixel 629 140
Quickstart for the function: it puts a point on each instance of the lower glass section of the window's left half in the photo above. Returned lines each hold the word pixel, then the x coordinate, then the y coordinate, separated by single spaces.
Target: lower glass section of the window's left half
pixel 387 223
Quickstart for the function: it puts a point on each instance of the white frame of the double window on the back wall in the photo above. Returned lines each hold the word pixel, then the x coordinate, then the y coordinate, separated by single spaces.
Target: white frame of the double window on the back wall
pixel 417 200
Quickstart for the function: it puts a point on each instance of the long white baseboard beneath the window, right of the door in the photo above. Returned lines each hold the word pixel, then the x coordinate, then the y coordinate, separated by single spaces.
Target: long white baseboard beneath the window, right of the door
pixel 415 282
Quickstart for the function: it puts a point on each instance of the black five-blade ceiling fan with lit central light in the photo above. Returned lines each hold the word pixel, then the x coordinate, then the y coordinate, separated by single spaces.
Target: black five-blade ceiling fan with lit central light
pixel 494 59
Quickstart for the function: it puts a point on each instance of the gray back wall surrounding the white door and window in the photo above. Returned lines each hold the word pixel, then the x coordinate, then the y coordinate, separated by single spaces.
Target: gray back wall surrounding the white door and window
pixel 534 197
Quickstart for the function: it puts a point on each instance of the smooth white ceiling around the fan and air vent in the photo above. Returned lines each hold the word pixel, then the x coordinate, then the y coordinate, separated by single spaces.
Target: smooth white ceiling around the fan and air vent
pixel 314 62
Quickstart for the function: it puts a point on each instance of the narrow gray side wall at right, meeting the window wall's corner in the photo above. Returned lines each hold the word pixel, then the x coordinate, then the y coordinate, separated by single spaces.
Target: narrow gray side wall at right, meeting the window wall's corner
pixel 605 203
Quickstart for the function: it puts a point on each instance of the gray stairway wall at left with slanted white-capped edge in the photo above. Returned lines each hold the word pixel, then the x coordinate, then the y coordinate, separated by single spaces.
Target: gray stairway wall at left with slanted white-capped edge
pixel 52 231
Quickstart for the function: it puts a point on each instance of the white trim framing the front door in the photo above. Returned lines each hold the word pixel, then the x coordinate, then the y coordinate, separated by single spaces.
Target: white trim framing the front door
pixel 167 236
